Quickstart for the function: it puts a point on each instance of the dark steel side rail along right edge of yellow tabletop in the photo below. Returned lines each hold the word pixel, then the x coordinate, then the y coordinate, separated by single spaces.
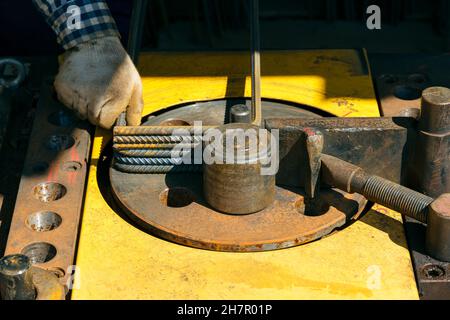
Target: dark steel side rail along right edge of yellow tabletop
pixel 421 70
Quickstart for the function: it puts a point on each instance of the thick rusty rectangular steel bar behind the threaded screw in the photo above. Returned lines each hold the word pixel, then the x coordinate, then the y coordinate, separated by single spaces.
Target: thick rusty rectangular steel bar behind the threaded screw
pixel 378 145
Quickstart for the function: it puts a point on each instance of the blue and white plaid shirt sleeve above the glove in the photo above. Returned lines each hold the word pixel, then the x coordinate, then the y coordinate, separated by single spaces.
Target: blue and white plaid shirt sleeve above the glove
pixel 77 21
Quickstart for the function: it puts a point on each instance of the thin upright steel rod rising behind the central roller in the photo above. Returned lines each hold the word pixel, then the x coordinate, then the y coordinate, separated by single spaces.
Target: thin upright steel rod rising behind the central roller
pixel 256 62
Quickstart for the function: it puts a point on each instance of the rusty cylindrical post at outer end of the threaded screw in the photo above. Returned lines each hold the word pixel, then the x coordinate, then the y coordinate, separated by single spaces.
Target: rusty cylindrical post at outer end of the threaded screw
pixel 438 228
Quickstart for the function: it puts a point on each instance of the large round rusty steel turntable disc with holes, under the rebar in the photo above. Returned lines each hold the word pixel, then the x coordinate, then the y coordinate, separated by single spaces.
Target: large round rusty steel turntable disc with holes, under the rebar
pixel 172 205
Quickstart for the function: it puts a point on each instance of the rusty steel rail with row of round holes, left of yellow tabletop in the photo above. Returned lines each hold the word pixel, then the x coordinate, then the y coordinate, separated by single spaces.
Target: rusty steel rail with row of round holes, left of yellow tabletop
pixel 46 217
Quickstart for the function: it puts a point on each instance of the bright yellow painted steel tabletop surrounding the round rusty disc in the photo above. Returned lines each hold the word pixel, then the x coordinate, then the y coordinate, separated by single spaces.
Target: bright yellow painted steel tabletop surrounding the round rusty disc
pixel 367 260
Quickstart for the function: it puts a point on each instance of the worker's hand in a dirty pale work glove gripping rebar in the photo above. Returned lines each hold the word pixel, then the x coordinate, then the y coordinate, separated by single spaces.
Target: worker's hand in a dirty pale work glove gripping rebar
pixel 98 80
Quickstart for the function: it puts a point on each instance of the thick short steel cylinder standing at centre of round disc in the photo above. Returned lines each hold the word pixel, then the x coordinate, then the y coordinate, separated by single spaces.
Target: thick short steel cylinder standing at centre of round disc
pixel 238 185
